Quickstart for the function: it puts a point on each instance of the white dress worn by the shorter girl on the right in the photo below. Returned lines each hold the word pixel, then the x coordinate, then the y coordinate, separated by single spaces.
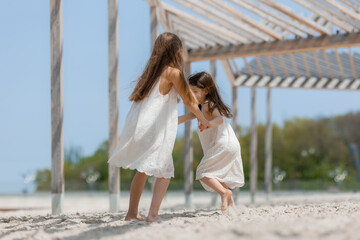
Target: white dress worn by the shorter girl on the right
pixel 222 156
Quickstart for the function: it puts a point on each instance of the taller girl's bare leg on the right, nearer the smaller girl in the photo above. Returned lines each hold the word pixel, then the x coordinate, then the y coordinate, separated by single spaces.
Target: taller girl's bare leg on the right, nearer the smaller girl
pixel 160 188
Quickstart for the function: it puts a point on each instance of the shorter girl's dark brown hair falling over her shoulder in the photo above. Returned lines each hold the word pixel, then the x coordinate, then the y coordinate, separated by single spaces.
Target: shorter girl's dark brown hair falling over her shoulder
pixel 203 80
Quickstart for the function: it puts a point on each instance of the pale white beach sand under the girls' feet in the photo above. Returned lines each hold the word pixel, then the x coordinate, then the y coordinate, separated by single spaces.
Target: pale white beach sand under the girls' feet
pixel 286 216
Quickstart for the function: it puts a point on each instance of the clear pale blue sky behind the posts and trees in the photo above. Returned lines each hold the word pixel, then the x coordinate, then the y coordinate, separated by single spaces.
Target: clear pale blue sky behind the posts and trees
pixel 25 113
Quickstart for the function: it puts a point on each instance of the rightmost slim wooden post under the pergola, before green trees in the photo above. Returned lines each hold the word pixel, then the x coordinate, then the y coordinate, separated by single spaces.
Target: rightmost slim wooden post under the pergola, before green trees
pixel 268 148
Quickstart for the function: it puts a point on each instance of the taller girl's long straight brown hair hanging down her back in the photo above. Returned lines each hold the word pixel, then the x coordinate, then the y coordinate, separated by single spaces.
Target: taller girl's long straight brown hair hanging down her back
pixel 167 51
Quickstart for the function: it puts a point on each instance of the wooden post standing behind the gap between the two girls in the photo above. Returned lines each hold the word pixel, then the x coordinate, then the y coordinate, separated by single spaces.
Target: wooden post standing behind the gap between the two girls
pixel 188 161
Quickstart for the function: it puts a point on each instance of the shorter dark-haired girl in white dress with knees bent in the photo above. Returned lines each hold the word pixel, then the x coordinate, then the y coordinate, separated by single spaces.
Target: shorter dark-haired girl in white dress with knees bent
pixel 221 167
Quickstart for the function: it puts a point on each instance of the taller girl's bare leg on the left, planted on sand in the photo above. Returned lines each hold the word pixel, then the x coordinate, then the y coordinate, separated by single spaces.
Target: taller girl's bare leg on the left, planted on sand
pixel 137 186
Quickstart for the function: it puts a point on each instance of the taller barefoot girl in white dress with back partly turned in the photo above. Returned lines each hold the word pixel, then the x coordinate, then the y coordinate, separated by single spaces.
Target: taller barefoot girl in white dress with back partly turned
pixel 148 137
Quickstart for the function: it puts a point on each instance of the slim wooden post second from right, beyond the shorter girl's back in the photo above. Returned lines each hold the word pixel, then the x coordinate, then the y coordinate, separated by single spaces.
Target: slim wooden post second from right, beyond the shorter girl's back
pixel 253 147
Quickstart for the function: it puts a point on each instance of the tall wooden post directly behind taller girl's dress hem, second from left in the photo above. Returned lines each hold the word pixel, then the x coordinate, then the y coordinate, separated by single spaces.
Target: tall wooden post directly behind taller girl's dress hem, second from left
pixel 113 48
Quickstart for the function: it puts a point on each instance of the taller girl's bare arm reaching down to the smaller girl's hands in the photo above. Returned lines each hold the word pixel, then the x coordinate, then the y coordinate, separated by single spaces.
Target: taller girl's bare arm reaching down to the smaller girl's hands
pixel 176 77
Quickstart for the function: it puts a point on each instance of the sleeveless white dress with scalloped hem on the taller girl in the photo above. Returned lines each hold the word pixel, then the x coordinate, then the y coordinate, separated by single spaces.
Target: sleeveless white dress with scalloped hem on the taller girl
pixel 148 137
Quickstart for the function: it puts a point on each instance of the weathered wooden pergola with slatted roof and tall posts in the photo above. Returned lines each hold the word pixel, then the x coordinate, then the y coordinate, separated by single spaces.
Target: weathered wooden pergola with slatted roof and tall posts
pixel 279 48
